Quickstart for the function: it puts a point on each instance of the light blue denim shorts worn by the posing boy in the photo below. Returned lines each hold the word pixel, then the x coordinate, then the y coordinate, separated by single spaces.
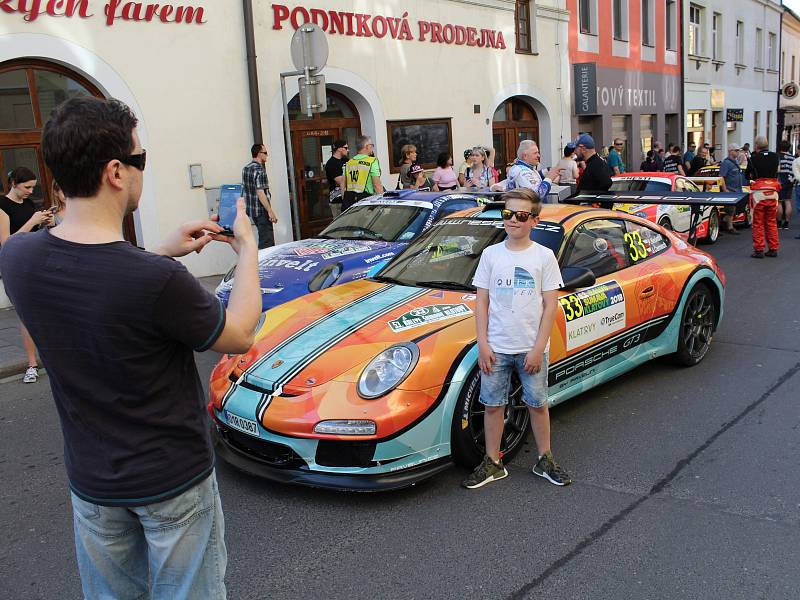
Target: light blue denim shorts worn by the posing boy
pixel 495 388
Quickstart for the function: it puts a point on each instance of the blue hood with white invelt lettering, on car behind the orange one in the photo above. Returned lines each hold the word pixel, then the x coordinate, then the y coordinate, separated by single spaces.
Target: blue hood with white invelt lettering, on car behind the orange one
pixel 285 270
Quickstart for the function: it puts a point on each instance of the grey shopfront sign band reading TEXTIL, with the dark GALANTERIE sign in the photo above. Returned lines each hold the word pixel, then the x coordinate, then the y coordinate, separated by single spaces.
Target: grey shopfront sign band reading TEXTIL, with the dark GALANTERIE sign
pixel 618 91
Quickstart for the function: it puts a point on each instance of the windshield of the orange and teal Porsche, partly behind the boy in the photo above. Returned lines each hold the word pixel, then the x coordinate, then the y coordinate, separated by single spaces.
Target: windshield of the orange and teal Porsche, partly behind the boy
pixel 446 256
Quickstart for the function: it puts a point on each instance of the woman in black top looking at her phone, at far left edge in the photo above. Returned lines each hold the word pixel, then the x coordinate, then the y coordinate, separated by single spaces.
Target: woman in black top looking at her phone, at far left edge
pixel 18 213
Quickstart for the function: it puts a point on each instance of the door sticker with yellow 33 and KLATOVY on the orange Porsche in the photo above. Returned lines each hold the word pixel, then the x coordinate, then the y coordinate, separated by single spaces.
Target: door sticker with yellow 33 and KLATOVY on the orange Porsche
pixel 593 313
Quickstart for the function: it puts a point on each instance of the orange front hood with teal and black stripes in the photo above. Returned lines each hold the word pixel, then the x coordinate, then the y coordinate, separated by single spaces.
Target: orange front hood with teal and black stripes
pixel 332 334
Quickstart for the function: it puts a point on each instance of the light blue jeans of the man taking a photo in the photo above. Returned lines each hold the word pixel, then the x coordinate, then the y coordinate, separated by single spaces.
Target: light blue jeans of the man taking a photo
pixel 177 544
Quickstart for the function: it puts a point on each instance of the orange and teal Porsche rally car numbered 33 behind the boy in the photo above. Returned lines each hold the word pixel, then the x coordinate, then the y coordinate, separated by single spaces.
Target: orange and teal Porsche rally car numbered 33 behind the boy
pixel 374 384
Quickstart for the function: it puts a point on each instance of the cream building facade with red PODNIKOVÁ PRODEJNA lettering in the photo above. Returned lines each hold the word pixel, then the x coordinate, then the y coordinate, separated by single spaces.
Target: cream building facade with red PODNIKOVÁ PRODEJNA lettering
pixel 443 74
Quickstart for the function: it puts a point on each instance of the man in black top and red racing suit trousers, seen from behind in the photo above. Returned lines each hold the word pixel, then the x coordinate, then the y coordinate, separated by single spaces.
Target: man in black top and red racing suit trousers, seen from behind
pixel 764 167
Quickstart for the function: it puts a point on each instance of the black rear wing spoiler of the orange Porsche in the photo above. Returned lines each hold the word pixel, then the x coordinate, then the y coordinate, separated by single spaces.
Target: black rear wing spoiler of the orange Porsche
pixel 696 200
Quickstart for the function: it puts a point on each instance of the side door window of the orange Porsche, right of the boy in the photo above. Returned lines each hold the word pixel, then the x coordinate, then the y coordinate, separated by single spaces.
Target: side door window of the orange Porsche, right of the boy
pixel 598 245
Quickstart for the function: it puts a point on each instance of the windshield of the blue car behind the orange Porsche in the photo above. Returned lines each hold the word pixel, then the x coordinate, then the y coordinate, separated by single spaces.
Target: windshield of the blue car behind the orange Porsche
pixel 383 222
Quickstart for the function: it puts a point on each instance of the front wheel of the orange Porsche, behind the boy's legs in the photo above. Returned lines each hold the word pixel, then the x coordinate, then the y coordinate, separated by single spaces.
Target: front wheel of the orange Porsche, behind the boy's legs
pixel 466 438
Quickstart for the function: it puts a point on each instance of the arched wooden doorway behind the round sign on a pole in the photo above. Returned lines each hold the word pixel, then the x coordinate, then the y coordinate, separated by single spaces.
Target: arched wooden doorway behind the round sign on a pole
pixel 312 138
